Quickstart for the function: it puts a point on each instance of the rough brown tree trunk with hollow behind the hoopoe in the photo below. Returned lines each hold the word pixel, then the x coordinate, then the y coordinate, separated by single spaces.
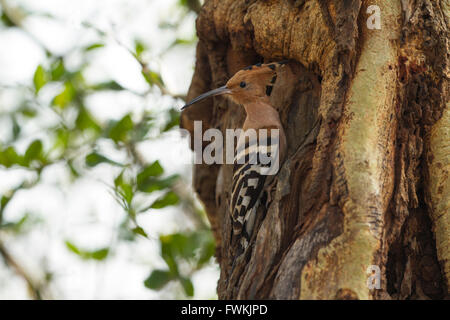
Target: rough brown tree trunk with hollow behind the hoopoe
pixel 366 113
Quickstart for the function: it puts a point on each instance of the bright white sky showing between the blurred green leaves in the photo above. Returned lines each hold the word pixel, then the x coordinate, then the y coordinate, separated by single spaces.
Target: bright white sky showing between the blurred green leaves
pixel 85 212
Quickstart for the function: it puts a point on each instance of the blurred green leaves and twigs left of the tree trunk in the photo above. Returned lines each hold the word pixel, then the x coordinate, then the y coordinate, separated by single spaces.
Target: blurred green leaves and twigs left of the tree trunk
pixel 78 135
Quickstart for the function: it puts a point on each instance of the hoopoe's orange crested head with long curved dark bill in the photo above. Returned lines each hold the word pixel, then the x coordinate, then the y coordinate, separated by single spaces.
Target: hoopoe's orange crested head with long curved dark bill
pixel 251 84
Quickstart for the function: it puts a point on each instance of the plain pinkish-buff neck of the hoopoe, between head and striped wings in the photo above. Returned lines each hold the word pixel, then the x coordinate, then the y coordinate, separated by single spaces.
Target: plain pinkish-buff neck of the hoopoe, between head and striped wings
pixel 261 115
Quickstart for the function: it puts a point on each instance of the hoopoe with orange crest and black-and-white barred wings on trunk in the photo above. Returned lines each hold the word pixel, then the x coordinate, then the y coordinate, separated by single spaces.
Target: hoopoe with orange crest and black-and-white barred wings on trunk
pixel 251 88
